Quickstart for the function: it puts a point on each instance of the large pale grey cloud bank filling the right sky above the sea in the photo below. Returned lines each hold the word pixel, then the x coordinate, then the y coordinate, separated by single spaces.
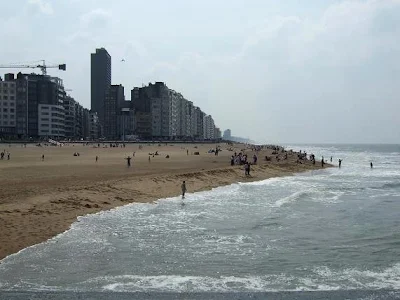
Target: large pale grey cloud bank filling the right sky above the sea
pixel 304 73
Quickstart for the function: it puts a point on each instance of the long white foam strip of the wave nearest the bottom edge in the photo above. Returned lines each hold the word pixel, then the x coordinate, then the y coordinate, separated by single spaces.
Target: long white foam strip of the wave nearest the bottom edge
pixel 321 279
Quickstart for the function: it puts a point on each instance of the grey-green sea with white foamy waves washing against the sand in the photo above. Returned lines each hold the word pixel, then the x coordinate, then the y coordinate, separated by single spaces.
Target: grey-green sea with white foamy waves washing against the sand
pixel 323 234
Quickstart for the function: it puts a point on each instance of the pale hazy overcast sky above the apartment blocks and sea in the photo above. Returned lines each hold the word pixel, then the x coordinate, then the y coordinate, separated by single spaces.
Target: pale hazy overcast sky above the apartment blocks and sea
pixel 293 71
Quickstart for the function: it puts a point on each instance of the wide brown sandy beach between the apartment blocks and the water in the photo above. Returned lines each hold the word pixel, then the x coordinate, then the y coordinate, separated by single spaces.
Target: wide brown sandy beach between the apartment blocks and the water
pixel 40 199
